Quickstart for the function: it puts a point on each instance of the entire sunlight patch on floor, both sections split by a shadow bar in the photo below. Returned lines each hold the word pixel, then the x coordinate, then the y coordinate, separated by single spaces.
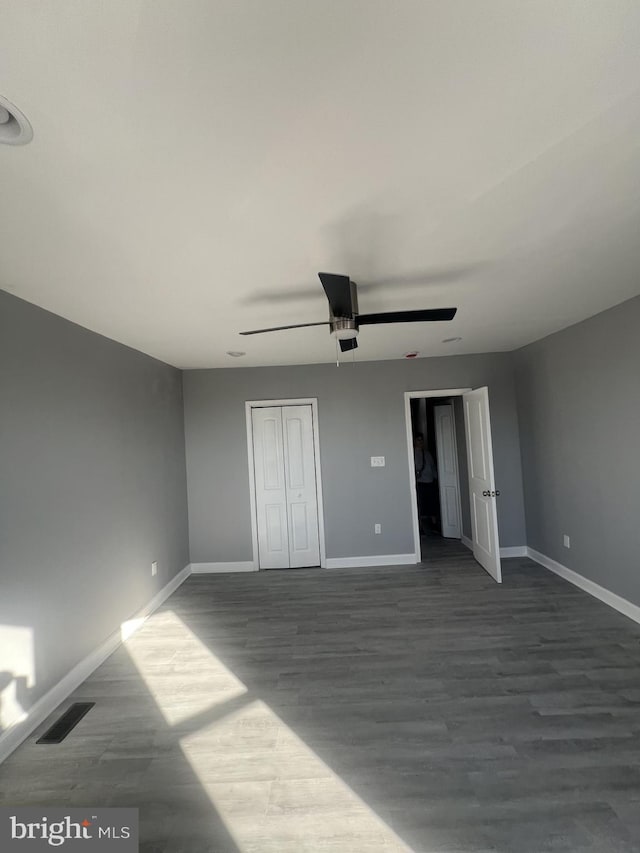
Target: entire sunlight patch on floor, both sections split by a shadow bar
pixel 273 793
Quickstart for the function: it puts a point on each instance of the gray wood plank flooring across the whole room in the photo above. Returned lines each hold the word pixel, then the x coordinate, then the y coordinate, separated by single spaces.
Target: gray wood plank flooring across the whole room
pixel 401 708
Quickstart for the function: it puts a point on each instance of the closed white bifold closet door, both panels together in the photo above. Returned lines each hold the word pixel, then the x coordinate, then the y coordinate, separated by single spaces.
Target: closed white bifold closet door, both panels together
pixel 285 483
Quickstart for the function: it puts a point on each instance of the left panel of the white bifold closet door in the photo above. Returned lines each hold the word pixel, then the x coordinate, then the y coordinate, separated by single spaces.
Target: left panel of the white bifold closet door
pixel 271 494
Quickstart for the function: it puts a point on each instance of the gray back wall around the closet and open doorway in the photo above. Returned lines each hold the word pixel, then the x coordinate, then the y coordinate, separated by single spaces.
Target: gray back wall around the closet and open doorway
pixel 361 414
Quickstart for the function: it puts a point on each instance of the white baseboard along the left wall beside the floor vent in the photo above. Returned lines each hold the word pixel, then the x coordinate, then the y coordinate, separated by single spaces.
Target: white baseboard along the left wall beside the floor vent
pixel 12 737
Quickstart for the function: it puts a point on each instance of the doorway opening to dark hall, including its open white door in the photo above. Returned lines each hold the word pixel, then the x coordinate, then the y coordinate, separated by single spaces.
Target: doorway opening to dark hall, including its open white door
pixel 451 475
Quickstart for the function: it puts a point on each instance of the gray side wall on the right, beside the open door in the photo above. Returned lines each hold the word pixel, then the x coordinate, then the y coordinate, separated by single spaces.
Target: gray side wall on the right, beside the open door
pixel 579 407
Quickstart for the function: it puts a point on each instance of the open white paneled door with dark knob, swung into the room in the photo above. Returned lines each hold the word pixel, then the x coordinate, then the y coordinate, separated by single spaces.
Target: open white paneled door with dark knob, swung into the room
pixel 484 519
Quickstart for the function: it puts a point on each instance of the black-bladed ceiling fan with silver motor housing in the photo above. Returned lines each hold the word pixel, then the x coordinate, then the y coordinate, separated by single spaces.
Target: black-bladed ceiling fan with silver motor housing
pixel 344 318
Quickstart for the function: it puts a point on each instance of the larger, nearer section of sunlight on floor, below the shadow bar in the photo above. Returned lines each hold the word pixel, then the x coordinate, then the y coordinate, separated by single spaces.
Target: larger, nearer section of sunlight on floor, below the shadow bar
pixel 274 793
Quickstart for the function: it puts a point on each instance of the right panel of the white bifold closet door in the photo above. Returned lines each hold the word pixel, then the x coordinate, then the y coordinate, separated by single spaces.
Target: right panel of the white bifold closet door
pixel 301 492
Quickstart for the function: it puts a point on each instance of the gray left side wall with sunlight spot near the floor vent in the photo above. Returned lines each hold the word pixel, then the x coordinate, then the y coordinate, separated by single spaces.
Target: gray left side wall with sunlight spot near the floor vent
pixel 92 487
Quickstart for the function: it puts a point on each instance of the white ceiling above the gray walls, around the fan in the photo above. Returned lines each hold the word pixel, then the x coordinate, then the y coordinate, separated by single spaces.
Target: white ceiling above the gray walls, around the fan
pixel 194 160
